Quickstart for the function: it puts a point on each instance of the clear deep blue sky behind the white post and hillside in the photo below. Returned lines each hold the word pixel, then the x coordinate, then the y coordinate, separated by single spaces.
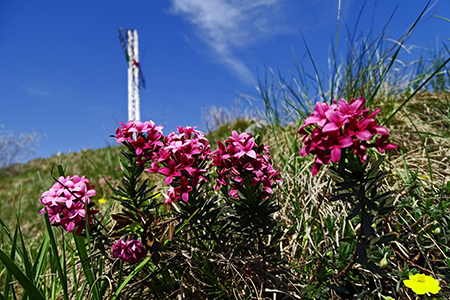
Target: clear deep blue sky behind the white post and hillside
pixel 63 73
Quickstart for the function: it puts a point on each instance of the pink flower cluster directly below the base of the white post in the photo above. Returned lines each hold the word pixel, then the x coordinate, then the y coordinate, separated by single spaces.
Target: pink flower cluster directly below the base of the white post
pixel 146 138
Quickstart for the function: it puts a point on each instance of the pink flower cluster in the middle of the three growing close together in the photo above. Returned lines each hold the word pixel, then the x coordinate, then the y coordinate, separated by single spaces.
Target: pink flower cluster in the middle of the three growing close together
pixel 183 161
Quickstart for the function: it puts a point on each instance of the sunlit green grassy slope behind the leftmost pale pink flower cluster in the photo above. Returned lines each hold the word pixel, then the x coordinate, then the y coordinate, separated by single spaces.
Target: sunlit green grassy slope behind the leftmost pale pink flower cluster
pixel 21 185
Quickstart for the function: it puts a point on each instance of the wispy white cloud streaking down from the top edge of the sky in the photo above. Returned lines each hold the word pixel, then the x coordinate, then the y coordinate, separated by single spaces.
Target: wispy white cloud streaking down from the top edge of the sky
pixel 226 25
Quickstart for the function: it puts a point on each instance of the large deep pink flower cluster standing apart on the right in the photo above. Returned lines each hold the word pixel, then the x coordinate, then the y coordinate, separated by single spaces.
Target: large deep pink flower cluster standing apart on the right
pixel 342 125
